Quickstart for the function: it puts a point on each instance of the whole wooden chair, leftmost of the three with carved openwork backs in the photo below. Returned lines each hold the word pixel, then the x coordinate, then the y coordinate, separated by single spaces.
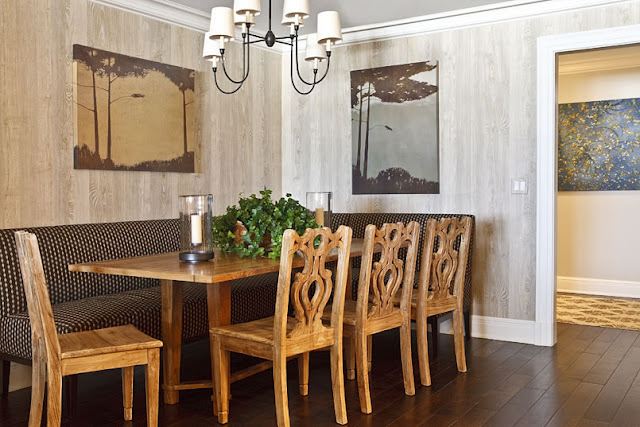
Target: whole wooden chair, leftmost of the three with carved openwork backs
pixel 280 337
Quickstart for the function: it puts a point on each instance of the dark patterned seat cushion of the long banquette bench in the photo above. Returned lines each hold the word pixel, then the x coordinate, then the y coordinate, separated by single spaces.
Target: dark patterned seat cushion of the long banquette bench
pixel 251 298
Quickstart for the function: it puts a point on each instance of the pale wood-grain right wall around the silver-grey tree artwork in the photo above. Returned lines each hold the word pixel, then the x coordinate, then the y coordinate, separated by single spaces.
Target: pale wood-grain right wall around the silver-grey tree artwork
pixel 487 137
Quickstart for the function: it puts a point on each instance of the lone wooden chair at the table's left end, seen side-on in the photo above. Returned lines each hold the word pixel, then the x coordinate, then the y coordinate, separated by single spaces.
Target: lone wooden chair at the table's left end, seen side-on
pixel 55 356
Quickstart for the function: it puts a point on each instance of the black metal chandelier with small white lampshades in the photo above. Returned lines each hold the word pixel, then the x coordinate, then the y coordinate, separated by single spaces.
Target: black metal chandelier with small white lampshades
pixel 222 31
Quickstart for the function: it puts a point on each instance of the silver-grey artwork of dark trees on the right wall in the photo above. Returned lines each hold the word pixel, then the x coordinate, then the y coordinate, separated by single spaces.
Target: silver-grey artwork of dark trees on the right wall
pixel 394 117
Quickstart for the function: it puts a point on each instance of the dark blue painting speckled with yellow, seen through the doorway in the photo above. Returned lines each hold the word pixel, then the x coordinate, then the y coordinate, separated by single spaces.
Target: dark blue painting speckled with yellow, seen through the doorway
pixel 599 145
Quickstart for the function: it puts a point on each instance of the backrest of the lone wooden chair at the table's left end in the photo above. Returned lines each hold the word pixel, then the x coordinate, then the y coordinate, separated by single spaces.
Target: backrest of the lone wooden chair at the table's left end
pixel 35 288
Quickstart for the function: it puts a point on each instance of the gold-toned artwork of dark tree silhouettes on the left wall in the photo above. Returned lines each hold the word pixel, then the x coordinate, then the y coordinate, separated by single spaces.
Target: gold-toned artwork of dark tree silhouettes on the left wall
pixel 132 114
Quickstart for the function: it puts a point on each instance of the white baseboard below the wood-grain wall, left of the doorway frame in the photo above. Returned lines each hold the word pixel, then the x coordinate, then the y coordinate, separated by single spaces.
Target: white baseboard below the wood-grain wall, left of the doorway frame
pixel 496 328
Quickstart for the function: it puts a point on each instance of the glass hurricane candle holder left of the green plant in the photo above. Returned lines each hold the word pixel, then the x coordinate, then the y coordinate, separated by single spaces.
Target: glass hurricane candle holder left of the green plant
pixel 195 228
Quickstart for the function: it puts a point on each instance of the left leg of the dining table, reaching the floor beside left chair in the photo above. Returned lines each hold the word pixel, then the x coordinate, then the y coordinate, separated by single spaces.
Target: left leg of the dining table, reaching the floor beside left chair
pixel 172 338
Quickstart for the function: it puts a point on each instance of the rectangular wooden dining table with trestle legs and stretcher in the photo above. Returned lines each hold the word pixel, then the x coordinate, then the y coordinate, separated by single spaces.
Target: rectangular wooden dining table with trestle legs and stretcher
pixel 217 276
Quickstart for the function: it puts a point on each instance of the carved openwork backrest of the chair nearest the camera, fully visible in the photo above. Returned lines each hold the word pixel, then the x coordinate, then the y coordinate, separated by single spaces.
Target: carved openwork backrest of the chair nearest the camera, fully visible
pixel 313 286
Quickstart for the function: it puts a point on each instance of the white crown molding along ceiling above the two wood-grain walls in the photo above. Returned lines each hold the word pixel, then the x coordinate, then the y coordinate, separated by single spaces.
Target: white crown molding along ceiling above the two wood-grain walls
pixel 194 19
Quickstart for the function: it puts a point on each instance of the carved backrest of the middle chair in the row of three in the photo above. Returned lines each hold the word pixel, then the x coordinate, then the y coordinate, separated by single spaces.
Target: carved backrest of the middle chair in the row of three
pixel 381 280
